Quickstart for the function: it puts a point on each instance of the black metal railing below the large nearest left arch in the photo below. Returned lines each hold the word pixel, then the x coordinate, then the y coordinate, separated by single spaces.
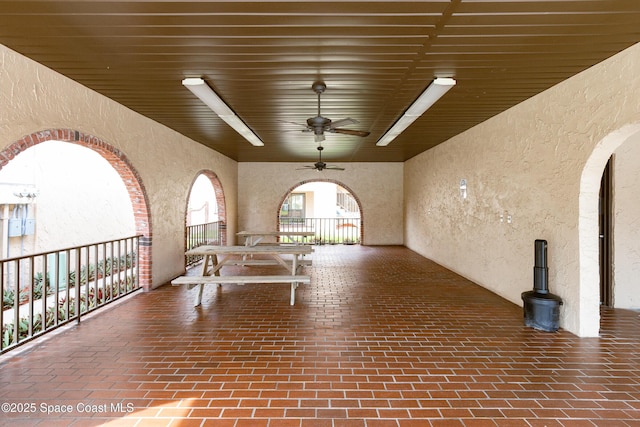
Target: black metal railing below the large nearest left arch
pixel 44 291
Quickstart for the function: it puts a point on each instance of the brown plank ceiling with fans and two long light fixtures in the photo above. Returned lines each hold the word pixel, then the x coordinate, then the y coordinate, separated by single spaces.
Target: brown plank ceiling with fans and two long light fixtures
pixel 376 57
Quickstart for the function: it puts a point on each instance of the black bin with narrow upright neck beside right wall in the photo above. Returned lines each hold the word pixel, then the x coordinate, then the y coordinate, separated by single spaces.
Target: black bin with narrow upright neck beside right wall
pixel 541 308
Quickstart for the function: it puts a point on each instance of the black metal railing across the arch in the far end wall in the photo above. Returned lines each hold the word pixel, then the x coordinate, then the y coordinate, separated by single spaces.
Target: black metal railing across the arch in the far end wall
pixel 327 230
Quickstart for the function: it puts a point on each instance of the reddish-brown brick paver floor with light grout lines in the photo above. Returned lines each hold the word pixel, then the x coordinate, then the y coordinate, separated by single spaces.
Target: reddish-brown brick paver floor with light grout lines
pixel 381 338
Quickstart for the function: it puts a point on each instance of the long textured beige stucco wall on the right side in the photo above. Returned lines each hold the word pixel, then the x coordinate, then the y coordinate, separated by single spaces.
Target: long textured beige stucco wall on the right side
pixel 527 162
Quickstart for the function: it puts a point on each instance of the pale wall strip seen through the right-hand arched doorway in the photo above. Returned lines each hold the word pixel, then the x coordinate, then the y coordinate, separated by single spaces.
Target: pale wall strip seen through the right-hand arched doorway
pixel 626 226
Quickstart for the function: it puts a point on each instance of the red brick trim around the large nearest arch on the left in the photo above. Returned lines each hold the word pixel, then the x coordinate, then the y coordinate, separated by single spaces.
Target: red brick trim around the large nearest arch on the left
pixel 119 161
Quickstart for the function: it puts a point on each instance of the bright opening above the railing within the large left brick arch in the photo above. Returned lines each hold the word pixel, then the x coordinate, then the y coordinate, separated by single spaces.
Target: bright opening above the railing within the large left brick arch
pixel 69 190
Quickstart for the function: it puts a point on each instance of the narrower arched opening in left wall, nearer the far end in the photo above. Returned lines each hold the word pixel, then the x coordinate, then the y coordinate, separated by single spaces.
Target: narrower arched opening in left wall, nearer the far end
pixel 205 214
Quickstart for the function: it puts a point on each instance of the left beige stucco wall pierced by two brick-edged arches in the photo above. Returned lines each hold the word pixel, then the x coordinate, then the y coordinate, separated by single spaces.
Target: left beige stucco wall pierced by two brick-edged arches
pixel 34 98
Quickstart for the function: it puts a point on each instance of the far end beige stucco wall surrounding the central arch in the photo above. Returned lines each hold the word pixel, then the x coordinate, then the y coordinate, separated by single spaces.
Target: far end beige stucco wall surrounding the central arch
pixel 378 186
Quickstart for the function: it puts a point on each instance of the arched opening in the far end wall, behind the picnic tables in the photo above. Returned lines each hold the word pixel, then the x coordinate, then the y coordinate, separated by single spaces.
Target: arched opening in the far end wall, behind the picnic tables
pixel 326 207
